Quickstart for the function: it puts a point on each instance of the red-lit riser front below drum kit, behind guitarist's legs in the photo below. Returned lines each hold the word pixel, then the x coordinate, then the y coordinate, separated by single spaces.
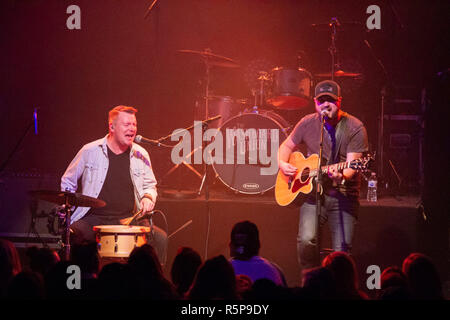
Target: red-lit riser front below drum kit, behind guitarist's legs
pixel 385 234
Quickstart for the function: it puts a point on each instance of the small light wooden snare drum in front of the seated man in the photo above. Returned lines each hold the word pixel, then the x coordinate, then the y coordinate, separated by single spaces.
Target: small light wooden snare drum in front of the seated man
pixel 117 241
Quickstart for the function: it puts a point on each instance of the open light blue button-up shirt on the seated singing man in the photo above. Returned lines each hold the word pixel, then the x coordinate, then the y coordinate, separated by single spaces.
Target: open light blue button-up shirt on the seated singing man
pixel 91 165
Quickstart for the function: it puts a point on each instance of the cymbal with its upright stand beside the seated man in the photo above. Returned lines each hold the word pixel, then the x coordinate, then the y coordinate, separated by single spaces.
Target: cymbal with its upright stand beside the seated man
pixel 68 200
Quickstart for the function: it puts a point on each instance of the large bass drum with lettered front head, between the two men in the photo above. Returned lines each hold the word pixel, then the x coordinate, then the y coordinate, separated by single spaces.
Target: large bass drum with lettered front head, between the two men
pixel 249 162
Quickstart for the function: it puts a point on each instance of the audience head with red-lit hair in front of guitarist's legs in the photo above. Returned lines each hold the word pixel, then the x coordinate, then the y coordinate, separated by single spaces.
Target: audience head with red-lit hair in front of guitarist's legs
pixel 344 271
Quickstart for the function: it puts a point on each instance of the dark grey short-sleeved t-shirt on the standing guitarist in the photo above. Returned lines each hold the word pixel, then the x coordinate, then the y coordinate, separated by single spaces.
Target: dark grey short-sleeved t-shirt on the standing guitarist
pixel 349 135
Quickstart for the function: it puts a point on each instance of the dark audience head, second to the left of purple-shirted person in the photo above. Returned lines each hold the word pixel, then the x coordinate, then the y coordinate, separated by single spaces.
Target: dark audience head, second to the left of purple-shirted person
pixel 184 267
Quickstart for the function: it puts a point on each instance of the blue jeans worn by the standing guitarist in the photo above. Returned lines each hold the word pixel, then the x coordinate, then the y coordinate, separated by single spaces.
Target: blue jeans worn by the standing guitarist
pixel 340 212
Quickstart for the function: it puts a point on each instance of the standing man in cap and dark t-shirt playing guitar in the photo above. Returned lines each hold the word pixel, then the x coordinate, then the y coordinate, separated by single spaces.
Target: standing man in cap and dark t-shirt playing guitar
pixel 345 139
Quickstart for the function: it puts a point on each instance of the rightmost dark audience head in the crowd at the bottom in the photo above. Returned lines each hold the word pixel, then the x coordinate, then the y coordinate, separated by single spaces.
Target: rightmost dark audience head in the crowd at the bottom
pixel 423 277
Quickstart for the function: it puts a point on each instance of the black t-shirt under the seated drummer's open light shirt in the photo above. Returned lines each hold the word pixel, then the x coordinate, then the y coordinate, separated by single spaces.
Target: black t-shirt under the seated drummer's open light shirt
pixel 117 190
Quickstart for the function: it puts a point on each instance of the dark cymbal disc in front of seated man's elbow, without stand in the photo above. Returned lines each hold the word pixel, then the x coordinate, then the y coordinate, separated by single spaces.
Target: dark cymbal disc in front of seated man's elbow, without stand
pixel 74 199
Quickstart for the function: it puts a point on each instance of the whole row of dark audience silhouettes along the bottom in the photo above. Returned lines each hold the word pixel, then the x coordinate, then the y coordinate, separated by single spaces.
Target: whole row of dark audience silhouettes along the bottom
pixel 246 276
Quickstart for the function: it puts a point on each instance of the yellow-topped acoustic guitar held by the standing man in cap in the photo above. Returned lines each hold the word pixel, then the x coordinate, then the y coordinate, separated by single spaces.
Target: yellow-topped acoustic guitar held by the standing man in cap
pixel 288 188
